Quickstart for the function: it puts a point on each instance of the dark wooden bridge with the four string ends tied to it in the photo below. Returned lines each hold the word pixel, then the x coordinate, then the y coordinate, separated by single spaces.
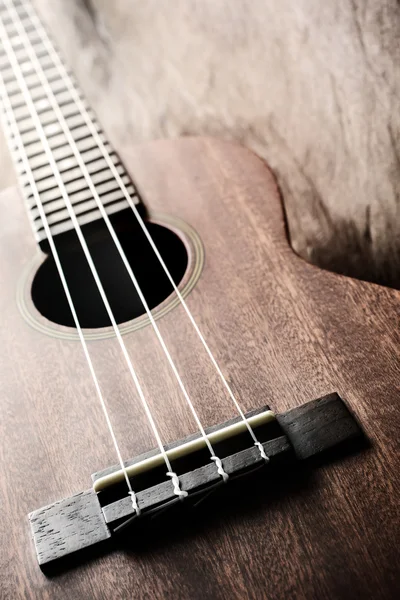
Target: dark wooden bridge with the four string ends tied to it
pixel 75 523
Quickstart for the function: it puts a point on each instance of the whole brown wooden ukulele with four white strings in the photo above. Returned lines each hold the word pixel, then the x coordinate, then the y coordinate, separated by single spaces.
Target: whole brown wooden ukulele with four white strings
pixel 188 409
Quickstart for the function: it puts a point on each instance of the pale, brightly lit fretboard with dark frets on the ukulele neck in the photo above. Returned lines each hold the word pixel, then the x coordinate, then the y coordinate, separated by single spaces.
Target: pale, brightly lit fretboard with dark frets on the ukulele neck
pixel 40 98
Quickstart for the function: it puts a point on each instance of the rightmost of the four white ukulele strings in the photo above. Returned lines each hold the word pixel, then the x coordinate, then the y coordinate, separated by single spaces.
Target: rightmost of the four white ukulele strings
pixel 89 122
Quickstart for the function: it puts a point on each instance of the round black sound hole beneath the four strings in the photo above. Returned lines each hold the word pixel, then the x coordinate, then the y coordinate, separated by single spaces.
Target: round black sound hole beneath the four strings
pixel 48 294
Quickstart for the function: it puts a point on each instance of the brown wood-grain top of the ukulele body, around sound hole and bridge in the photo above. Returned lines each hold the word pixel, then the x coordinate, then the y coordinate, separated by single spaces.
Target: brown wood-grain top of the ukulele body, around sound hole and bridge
pixel 283 332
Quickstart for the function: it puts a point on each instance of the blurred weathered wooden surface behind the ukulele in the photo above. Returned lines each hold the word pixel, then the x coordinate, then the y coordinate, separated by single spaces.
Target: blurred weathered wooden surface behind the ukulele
pixel 311 86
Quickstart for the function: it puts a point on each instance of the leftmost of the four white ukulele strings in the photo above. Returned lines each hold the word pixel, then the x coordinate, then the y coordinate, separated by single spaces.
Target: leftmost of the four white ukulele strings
pixel 22 154
